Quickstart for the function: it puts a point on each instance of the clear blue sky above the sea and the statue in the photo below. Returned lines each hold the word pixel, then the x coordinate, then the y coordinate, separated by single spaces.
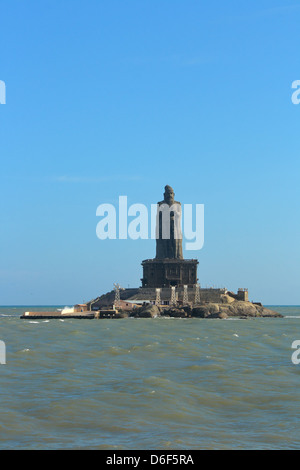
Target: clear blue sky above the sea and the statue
pixel 112 97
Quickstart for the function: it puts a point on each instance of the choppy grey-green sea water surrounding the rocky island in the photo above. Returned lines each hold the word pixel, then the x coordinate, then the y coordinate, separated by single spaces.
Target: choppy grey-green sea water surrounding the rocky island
pixel 154 384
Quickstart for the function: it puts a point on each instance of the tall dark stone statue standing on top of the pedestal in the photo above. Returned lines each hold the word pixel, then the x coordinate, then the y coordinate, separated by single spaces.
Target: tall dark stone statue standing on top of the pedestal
pixel 168 227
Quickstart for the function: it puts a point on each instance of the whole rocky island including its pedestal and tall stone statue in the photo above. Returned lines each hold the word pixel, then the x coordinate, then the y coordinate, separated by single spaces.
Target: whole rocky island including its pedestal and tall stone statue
pixel 170 285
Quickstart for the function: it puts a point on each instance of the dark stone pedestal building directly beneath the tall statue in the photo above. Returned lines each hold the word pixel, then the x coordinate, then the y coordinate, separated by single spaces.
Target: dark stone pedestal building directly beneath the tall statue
pixel 169 272
